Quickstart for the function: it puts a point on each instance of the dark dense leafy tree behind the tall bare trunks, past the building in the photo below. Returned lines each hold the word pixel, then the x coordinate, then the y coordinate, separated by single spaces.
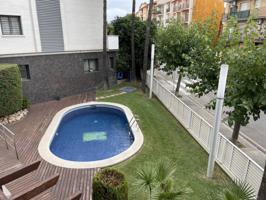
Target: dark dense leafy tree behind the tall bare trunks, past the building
pixel 122 26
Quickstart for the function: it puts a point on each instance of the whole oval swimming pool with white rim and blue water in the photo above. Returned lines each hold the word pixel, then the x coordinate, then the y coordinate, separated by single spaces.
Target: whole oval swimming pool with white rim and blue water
pixel 96 134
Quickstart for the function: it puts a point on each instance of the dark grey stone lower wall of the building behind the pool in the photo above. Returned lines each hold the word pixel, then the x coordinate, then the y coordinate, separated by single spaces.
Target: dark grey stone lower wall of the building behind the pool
pixel 59 75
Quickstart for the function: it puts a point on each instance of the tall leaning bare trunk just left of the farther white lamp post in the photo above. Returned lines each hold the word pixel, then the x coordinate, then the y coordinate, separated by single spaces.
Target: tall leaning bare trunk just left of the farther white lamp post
pixel 146 46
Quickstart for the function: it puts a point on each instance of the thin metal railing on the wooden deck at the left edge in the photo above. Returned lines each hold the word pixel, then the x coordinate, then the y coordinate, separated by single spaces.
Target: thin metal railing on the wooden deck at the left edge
pixel 8 137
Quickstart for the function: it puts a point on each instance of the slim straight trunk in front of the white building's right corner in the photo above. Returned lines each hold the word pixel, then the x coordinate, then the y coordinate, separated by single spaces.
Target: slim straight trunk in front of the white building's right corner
pixel 105 65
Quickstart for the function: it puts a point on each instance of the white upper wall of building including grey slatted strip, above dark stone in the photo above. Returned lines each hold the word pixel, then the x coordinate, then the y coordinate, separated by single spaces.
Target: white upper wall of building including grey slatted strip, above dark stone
pixel 60 25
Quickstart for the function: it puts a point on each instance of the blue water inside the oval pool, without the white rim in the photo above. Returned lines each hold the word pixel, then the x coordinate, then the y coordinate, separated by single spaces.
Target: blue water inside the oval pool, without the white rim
pixel 91 134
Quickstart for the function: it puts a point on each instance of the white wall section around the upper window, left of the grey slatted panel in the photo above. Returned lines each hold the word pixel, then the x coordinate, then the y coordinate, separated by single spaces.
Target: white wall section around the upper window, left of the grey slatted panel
pixel 28 42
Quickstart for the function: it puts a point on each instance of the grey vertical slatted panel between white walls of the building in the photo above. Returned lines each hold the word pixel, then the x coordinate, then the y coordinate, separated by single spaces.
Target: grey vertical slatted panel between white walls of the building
pixel 50 25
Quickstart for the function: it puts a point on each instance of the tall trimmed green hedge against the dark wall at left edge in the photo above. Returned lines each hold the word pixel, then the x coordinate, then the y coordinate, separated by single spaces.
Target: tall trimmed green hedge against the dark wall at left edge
pixel 10 89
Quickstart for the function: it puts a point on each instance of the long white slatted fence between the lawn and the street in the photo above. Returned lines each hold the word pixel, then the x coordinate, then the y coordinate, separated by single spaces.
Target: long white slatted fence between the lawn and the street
pixel 231 159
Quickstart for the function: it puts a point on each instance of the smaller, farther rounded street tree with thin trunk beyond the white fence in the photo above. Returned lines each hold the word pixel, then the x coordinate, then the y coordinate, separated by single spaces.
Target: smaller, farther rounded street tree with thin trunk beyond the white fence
pixel 173 44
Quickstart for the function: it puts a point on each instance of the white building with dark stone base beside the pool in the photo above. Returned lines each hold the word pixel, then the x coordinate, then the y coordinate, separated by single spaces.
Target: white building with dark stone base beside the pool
pixel 57 44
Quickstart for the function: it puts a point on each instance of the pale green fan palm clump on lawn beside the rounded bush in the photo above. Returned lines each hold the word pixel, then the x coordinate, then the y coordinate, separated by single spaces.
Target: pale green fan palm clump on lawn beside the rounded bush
pixel 158 181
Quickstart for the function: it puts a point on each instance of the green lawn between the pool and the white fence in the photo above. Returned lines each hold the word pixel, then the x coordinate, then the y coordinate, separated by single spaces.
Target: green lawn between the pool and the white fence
pixel 166 139
